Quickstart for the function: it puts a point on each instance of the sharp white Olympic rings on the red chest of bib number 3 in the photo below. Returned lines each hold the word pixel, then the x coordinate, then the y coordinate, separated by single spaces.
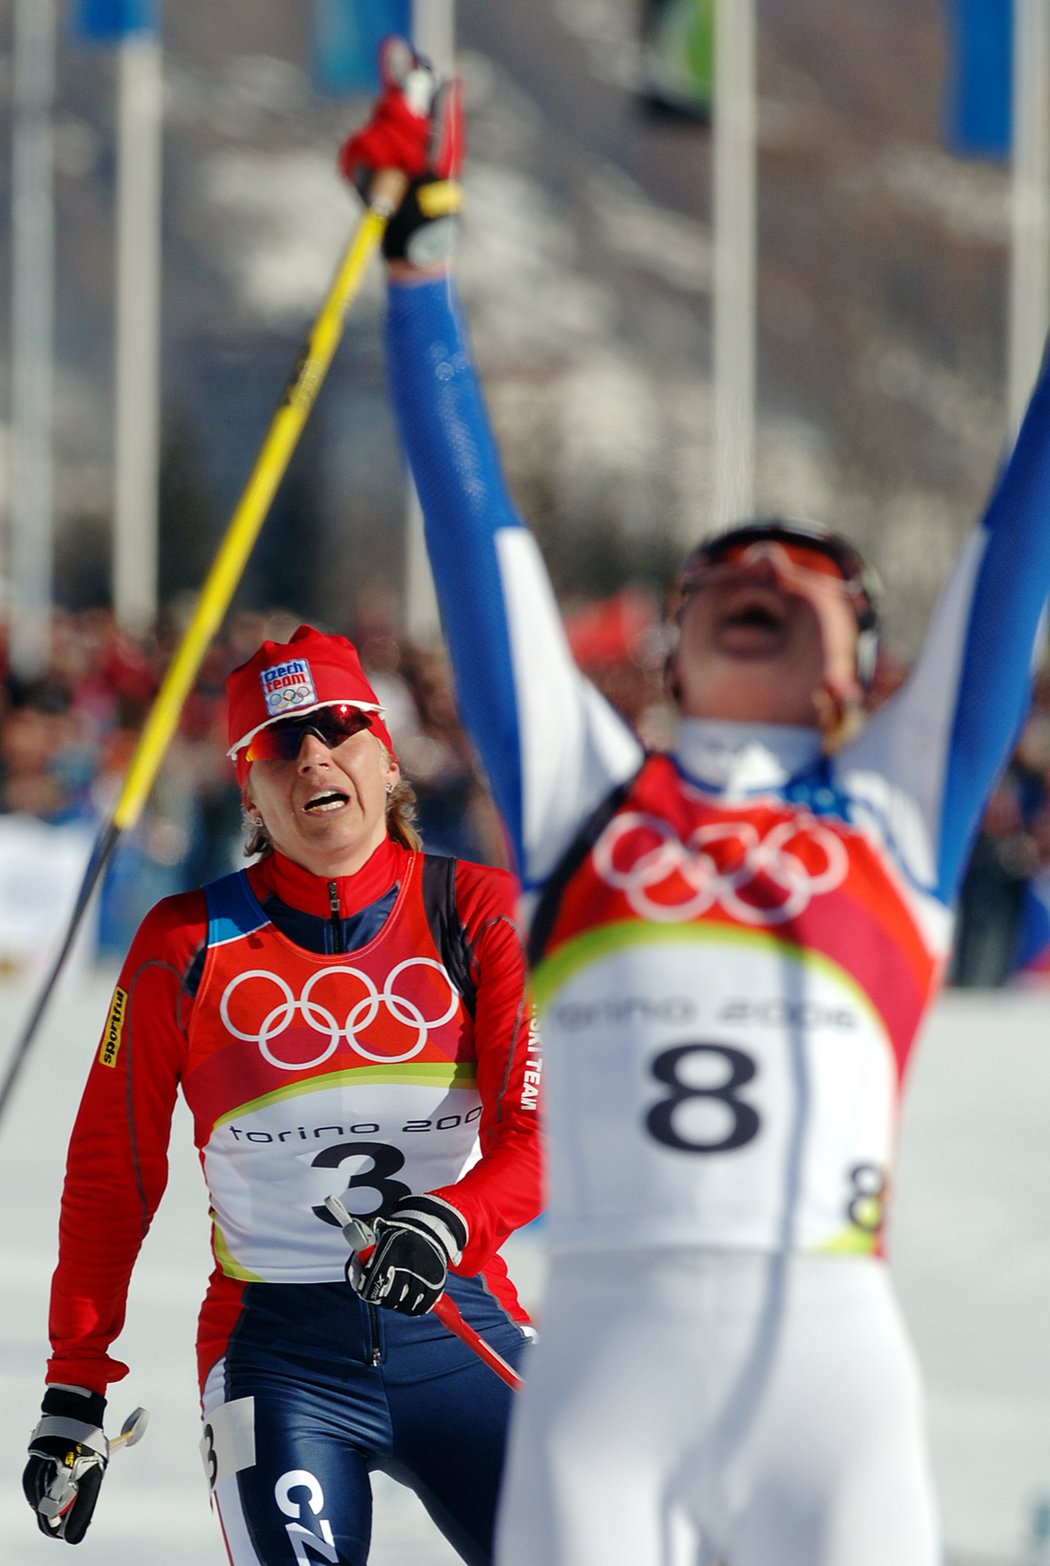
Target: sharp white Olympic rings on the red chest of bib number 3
pixel 322 1020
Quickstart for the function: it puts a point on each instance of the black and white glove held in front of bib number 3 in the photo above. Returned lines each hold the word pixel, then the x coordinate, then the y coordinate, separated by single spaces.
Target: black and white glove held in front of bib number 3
pixel 408 1266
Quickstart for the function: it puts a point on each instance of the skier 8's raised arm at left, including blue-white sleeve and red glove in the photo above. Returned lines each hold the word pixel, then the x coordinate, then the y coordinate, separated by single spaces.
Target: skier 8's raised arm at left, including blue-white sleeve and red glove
pixel 551 745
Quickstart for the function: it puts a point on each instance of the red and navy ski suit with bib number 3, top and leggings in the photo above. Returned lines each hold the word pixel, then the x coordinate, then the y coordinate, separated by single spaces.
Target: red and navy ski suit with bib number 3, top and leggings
pixel 366 1037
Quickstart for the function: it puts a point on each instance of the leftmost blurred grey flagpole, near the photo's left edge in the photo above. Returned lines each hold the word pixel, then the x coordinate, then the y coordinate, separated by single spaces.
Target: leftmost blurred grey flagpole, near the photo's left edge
pixel 31 547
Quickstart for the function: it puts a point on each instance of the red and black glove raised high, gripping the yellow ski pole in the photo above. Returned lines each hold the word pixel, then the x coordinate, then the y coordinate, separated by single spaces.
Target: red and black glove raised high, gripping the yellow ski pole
pixel 416 128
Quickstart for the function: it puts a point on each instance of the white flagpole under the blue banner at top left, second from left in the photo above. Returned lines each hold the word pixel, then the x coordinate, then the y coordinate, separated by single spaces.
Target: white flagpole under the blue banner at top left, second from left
pixel 137 458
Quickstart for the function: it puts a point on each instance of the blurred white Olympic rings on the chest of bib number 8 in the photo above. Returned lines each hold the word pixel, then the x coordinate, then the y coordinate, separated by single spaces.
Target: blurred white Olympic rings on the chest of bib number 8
pixel 719 865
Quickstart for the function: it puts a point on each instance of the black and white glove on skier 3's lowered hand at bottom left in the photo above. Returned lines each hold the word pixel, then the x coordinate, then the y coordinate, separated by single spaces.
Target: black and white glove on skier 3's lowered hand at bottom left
pixel 68 1459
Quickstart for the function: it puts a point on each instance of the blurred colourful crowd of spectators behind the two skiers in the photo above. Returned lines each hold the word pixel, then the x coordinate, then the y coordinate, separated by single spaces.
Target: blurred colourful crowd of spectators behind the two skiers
pixel 68 735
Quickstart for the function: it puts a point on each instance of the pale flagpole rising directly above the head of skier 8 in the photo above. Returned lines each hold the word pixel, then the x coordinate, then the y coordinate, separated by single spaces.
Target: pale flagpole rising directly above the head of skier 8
pixel 734 222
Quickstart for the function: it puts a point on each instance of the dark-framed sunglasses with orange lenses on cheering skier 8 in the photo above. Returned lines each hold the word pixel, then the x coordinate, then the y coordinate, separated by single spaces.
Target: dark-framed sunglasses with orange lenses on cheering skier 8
pixel 797 550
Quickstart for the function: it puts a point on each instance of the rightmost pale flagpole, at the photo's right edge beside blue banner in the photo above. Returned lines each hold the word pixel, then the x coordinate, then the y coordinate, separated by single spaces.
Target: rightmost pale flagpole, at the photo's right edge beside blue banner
pixel 1030 229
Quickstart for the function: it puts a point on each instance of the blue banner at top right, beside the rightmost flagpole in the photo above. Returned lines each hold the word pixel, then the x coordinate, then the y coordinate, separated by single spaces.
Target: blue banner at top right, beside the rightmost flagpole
pixel 980 78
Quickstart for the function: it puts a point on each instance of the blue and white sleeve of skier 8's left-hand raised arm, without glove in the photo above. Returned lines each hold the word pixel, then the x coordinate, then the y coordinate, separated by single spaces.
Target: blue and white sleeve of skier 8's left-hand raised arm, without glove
pixel 551 745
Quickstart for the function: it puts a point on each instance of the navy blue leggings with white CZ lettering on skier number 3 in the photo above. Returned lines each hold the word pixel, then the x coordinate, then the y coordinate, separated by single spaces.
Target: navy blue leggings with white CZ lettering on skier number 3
pixel 317 1391
